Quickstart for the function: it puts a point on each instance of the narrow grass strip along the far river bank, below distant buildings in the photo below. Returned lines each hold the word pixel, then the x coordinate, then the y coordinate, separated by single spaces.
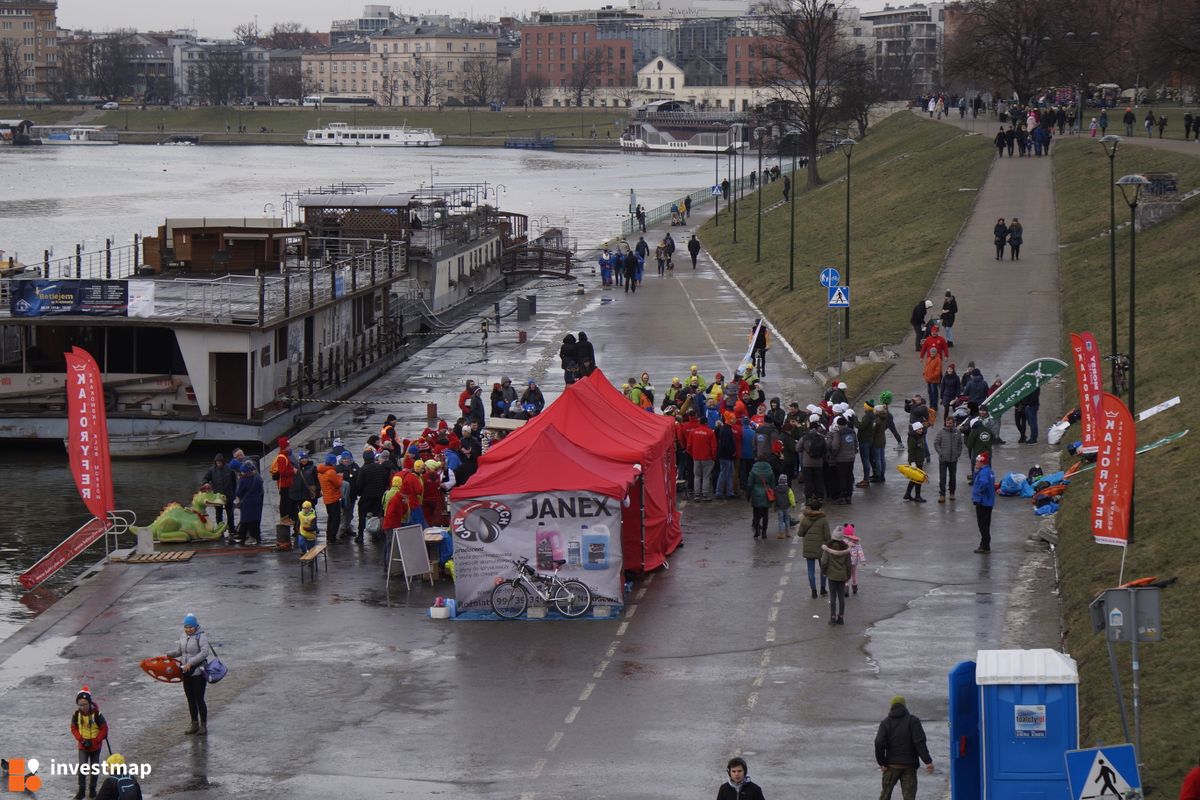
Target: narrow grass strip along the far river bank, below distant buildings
pixel 567 123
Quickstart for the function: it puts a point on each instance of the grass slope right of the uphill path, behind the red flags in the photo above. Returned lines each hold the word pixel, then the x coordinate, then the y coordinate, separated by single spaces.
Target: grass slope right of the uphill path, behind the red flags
pixel 1166 543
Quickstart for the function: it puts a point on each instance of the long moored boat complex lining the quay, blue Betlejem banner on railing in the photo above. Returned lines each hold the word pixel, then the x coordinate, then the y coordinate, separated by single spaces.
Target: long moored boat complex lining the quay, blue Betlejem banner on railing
pixel 236 329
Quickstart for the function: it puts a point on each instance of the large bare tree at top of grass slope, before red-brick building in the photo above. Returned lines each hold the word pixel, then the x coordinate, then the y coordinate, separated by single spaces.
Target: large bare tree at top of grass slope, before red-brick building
pixel 808 62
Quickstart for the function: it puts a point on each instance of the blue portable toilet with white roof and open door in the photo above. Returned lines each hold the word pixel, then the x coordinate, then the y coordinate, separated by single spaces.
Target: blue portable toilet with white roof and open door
pixel 1013 715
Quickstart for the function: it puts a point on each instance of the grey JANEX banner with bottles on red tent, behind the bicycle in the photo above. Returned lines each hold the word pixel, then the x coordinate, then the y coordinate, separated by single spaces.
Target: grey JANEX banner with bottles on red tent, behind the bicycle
pixel 583 530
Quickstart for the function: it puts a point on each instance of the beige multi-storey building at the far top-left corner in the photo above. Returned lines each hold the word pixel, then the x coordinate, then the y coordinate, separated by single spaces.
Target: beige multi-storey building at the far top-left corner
pixel 29 52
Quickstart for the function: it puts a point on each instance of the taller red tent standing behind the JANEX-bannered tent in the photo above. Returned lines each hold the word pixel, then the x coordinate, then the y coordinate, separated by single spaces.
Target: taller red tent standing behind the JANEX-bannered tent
pixel 599 420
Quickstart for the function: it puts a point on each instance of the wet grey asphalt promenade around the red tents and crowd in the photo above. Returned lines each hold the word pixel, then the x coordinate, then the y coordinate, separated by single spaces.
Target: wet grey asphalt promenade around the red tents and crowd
pixel 339 690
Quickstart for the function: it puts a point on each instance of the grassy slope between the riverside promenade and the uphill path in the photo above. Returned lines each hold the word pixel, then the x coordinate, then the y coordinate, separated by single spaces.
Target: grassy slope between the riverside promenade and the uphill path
pixel 907 210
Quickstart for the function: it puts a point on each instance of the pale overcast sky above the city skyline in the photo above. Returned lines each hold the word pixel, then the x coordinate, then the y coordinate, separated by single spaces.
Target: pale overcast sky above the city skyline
pixel 217 19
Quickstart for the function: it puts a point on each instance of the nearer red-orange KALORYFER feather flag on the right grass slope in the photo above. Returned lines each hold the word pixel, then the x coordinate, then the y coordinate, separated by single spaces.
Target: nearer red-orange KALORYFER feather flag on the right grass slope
pixel 1113 488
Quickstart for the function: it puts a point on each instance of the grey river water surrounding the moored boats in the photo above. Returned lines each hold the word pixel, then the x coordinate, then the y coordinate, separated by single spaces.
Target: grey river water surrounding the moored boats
pixel 56 197
